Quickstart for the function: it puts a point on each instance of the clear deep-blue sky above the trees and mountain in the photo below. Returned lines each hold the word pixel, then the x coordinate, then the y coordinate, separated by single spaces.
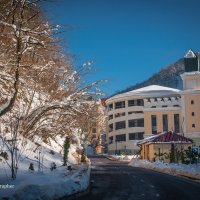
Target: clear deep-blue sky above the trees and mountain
pixel 128 40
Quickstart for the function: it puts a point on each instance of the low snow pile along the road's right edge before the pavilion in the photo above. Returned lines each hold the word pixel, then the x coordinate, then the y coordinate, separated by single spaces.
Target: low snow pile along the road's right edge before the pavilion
pixel 190 170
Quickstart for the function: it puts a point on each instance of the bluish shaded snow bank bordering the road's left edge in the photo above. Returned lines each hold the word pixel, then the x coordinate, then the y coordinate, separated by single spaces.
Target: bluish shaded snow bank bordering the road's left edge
pixel 56 186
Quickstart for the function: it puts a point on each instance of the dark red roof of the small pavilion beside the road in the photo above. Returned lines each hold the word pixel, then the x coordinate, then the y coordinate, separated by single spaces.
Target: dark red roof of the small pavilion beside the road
pixel 166 137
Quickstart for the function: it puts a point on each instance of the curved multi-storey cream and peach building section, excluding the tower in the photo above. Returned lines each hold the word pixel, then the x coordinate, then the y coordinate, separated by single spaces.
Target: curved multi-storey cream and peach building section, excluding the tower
pixel 128 112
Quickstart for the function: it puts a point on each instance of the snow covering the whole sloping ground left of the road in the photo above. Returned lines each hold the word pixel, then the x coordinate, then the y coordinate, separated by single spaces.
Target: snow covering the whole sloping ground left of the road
pixel 43 183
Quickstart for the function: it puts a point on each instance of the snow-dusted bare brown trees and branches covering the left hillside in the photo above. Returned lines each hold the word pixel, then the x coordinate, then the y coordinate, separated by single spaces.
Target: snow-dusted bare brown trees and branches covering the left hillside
pixel 38 86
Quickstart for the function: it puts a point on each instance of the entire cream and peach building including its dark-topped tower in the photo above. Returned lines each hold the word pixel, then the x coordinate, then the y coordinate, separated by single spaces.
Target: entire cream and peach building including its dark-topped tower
pixel 147 111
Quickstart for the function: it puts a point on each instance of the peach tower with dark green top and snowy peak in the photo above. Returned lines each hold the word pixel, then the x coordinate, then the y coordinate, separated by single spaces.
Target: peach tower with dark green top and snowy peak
pixel 191 96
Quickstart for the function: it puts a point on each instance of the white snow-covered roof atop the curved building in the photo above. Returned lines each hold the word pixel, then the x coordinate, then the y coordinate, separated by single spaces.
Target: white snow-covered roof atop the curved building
pixel 148 91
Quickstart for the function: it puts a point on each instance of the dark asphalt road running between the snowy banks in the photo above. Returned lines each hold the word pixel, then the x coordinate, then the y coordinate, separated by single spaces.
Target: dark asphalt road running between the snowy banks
pixel 113 180
